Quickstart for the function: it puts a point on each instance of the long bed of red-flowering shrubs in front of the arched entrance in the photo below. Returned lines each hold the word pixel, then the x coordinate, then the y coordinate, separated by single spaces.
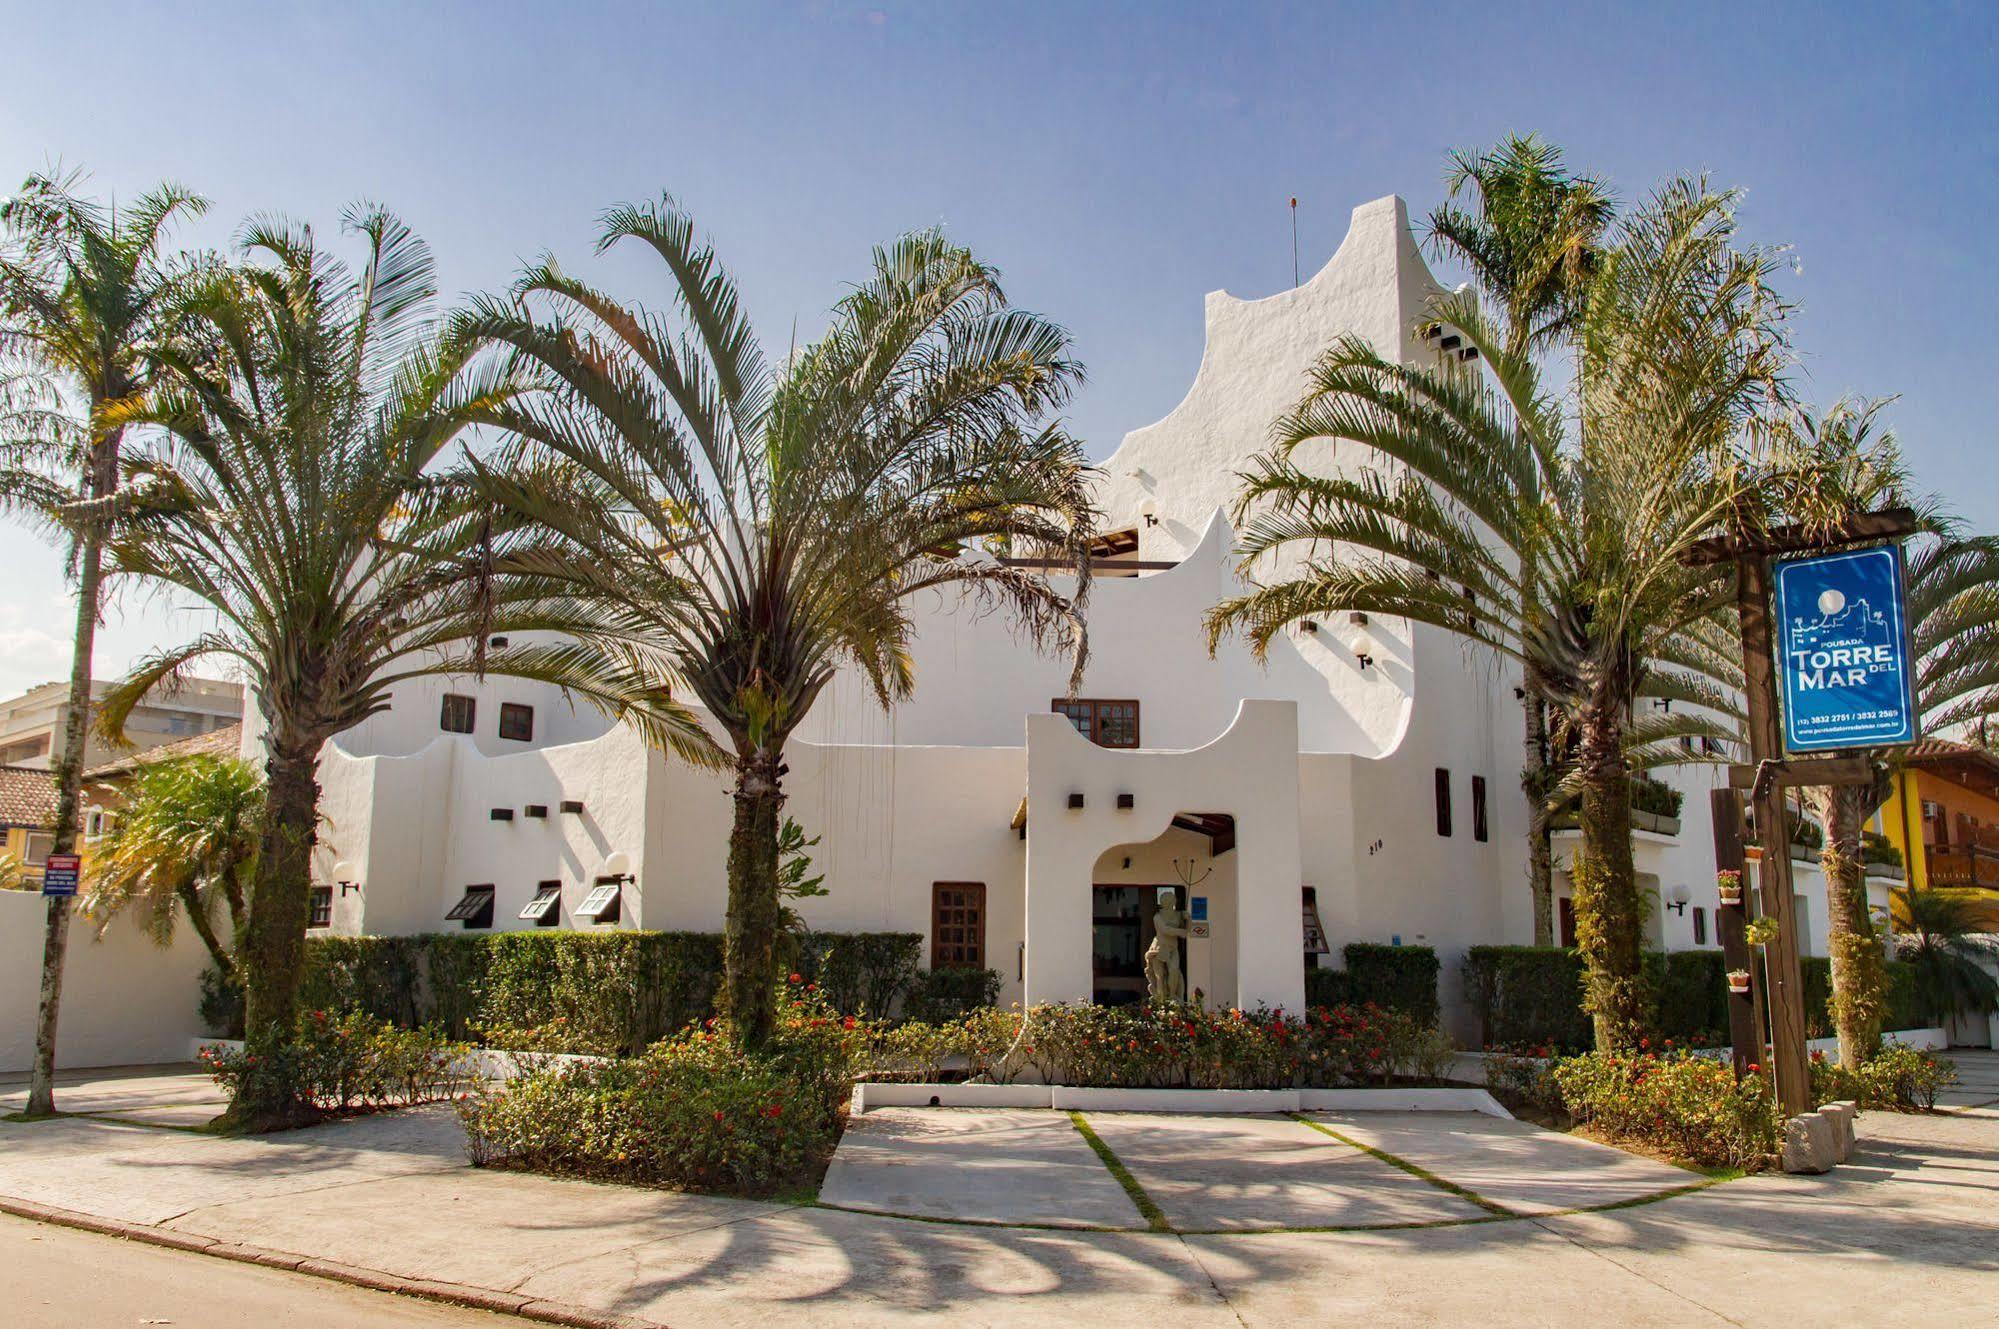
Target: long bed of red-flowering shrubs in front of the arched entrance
pixel 1166 1048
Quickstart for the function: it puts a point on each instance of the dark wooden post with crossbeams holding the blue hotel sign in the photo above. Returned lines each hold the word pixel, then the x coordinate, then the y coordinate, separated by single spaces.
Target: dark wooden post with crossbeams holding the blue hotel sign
pixel 1768 772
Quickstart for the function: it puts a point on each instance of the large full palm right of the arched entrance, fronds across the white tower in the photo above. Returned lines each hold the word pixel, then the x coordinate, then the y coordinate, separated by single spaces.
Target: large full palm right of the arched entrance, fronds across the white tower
pixel 1552 539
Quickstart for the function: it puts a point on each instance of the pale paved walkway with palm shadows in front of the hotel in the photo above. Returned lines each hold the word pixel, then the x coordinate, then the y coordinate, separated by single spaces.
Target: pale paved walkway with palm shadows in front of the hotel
pixel 1906 1234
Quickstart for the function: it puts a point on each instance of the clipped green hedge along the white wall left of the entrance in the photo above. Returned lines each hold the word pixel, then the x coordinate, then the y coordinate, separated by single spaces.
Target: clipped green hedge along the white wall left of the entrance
pixel 607 992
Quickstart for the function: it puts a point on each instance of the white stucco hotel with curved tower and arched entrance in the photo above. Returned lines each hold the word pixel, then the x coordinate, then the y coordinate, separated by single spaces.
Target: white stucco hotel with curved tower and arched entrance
pixel 1366 772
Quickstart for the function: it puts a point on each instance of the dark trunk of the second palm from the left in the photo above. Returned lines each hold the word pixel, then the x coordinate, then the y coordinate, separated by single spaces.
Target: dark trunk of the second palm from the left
pixel 275 938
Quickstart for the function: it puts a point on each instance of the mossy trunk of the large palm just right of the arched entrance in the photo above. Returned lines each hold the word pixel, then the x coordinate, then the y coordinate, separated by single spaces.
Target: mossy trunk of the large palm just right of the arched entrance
pixel 1608 924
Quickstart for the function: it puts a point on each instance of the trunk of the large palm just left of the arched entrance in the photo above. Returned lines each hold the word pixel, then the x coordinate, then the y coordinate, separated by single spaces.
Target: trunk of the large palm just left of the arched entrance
pixel 755 908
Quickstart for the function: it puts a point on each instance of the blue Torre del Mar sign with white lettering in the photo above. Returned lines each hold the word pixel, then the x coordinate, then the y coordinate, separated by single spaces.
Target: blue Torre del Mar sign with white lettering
pixel 1844 647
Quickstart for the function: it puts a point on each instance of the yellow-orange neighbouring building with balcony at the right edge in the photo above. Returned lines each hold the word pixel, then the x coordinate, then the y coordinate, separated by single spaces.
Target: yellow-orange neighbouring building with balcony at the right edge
pixel 1944 816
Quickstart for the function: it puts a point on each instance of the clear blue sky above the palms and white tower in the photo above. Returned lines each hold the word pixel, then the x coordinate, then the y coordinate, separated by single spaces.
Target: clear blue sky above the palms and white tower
pixel 1114 161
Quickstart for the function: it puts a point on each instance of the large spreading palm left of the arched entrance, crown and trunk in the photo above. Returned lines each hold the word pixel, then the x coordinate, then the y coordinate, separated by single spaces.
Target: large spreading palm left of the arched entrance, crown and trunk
pixel 745 531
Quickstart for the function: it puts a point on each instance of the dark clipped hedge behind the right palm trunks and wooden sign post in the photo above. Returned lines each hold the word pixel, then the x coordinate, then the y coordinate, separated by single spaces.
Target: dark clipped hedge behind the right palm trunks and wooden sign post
pixel 1530 996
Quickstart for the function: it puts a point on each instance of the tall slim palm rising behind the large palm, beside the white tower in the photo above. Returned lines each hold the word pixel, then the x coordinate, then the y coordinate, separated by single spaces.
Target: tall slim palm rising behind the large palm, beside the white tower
pixel 1532 237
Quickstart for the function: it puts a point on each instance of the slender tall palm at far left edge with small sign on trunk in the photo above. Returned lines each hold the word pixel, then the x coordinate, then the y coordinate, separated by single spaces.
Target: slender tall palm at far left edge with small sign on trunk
pixel 85 301
